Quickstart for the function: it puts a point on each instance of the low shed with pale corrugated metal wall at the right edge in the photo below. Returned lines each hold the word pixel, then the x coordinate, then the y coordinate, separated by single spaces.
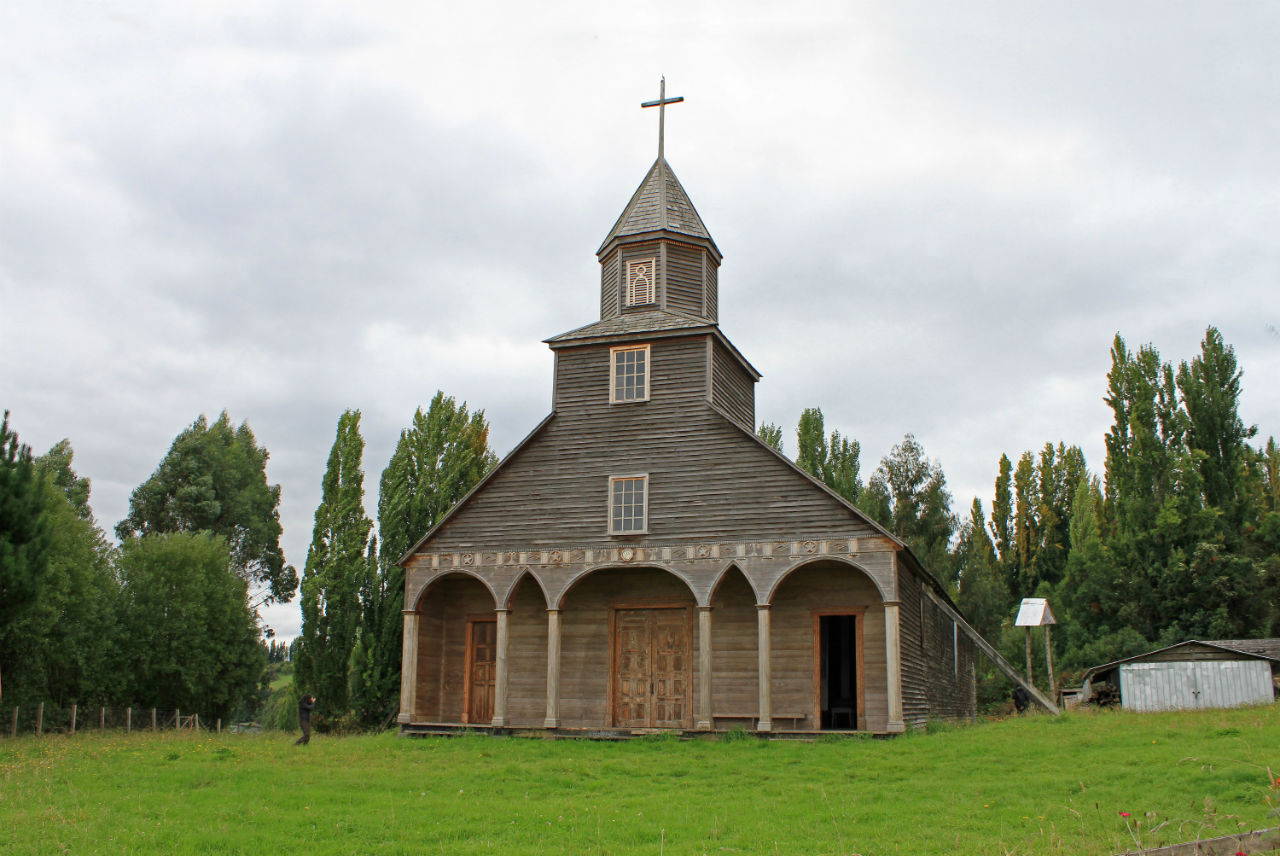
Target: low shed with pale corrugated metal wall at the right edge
pixel 1192 675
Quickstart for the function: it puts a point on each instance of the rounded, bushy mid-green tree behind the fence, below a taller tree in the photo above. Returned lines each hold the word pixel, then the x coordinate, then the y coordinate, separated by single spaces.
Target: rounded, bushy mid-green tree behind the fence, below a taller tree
pixel 189 639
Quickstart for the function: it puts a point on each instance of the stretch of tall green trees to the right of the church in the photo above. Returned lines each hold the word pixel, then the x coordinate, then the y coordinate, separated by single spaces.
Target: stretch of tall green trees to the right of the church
pixel 1177 538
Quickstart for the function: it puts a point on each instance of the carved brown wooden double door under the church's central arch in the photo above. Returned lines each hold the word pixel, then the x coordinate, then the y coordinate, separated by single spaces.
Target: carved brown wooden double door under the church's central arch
pixel 652 669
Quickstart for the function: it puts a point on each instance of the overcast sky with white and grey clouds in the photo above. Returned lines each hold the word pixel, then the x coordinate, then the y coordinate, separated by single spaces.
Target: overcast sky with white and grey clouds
pixel 935 217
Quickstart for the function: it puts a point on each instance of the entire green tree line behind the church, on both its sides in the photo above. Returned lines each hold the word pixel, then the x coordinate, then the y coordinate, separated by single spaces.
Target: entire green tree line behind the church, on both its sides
pixel 1177 538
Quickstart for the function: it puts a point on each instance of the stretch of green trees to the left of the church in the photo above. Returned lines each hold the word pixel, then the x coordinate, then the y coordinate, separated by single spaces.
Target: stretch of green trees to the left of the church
pixel 167 617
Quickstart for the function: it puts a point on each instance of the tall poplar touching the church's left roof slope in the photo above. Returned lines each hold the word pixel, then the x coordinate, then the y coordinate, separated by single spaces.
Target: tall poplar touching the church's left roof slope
pixel 438 460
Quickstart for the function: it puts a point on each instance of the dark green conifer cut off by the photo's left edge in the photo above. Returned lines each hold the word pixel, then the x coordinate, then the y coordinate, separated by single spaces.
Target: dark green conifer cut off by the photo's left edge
pixel 24 537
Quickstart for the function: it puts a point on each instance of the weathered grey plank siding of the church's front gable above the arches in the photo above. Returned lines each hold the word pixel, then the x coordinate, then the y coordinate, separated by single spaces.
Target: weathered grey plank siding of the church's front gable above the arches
pixel 707 480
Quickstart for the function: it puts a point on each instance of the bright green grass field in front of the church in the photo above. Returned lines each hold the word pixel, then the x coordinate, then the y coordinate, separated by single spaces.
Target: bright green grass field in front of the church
pixel 1021 786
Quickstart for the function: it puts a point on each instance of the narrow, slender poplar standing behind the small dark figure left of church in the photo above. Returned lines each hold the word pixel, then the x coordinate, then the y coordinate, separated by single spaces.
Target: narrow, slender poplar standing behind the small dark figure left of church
pixel 336 569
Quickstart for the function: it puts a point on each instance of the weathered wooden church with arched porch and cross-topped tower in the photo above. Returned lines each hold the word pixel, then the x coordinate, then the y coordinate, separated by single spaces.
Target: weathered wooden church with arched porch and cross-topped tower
pixel 642 561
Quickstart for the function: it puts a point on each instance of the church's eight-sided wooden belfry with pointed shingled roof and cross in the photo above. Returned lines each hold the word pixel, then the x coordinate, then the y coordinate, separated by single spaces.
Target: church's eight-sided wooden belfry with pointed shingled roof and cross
pixel 660 257
